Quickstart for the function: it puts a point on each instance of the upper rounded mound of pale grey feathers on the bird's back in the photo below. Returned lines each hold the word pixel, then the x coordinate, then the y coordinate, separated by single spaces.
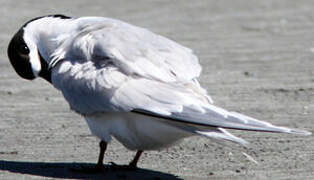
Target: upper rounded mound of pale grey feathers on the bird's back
pixel 134 50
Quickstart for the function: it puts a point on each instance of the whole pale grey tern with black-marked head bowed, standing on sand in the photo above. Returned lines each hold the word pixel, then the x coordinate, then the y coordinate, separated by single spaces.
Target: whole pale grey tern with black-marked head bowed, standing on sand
pixel 127 82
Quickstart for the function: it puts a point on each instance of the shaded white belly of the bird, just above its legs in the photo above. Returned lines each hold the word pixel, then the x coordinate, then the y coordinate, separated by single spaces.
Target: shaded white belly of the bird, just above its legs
pixel 134 131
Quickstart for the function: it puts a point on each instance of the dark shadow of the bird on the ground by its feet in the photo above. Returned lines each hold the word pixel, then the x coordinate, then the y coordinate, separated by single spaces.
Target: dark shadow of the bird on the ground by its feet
pixel 63 171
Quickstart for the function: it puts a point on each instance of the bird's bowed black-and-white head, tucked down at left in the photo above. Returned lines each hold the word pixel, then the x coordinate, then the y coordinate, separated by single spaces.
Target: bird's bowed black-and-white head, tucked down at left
pixel 27 50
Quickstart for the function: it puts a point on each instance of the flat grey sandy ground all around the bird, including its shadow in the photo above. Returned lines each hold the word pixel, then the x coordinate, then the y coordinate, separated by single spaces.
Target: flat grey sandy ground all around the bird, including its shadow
pixel 257 57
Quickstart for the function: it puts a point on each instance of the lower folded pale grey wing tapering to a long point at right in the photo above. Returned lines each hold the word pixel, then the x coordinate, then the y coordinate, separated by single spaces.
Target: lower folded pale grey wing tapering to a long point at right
pixel 180 103
